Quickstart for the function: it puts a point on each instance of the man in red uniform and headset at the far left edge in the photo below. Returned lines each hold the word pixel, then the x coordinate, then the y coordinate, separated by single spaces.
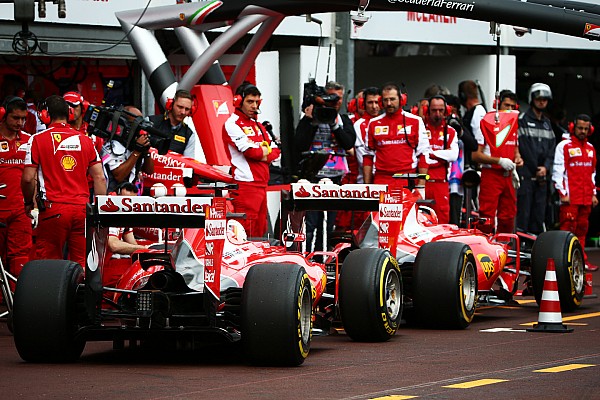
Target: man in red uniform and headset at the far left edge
pixel 15 238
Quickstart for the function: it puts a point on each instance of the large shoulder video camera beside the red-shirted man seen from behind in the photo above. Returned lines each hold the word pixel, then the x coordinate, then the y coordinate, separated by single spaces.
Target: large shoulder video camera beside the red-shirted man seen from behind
pixel 115 123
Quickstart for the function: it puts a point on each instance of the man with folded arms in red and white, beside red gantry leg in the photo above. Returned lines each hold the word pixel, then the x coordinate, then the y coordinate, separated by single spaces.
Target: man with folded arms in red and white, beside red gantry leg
pixel 250 151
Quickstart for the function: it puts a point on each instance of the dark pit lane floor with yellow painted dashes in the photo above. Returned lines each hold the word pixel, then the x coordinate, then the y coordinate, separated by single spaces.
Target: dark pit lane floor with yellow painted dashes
pixel 493 359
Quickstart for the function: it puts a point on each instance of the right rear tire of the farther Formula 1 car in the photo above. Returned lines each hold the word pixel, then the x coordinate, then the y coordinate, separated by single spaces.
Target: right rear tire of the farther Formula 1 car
pixel 445 285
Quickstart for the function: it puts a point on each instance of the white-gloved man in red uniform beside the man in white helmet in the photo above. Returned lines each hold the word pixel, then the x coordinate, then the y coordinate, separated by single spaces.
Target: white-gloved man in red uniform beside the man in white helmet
pixel 498 195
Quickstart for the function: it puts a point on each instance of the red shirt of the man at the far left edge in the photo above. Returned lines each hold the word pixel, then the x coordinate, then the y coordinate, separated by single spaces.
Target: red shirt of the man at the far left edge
pixel 12 163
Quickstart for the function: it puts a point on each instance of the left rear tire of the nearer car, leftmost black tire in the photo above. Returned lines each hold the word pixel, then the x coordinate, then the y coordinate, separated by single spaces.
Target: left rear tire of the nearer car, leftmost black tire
pixel 45 311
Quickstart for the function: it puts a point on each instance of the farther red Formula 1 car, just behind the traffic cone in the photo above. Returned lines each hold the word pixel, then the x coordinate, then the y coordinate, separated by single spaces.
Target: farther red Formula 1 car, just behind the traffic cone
pixel 446 271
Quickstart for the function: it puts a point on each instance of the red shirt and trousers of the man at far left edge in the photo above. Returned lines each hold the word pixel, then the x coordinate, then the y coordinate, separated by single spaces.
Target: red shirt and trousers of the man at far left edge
pixel 15 239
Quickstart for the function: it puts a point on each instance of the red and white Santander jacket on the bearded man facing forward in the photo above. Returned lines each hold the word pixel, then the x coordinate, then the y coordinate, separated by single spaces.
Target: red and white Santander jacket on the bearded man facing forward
pixel 398 141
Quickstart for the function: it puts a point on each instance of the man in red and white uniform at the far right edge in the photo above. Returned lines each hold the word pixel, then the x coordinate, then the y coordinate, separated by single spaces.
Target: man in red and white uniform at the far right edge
pixel 574 178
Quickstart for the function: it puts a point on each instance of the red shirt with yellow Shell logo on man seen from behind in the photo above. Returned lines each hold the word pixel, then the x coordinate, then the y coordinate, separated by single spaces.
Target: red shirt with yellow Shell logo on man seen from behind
pixel 63 156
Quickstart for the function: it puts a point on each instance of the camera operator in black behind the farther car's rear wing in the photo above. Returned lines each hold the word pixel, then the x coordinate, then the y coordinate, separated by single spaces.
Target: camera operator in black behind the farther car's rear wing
pixel 336 135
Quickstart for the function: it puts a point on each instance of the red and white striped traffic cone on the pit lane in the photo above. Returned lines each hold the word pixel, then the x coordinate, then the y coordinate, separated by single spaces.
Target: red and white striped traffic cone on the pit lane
pixel 550 318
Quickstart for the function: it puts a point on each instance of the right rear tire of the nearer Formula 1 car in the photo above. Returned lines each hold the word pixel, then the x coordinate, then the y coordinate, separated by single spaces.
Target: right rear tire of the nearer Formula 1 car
pixel 277 309
